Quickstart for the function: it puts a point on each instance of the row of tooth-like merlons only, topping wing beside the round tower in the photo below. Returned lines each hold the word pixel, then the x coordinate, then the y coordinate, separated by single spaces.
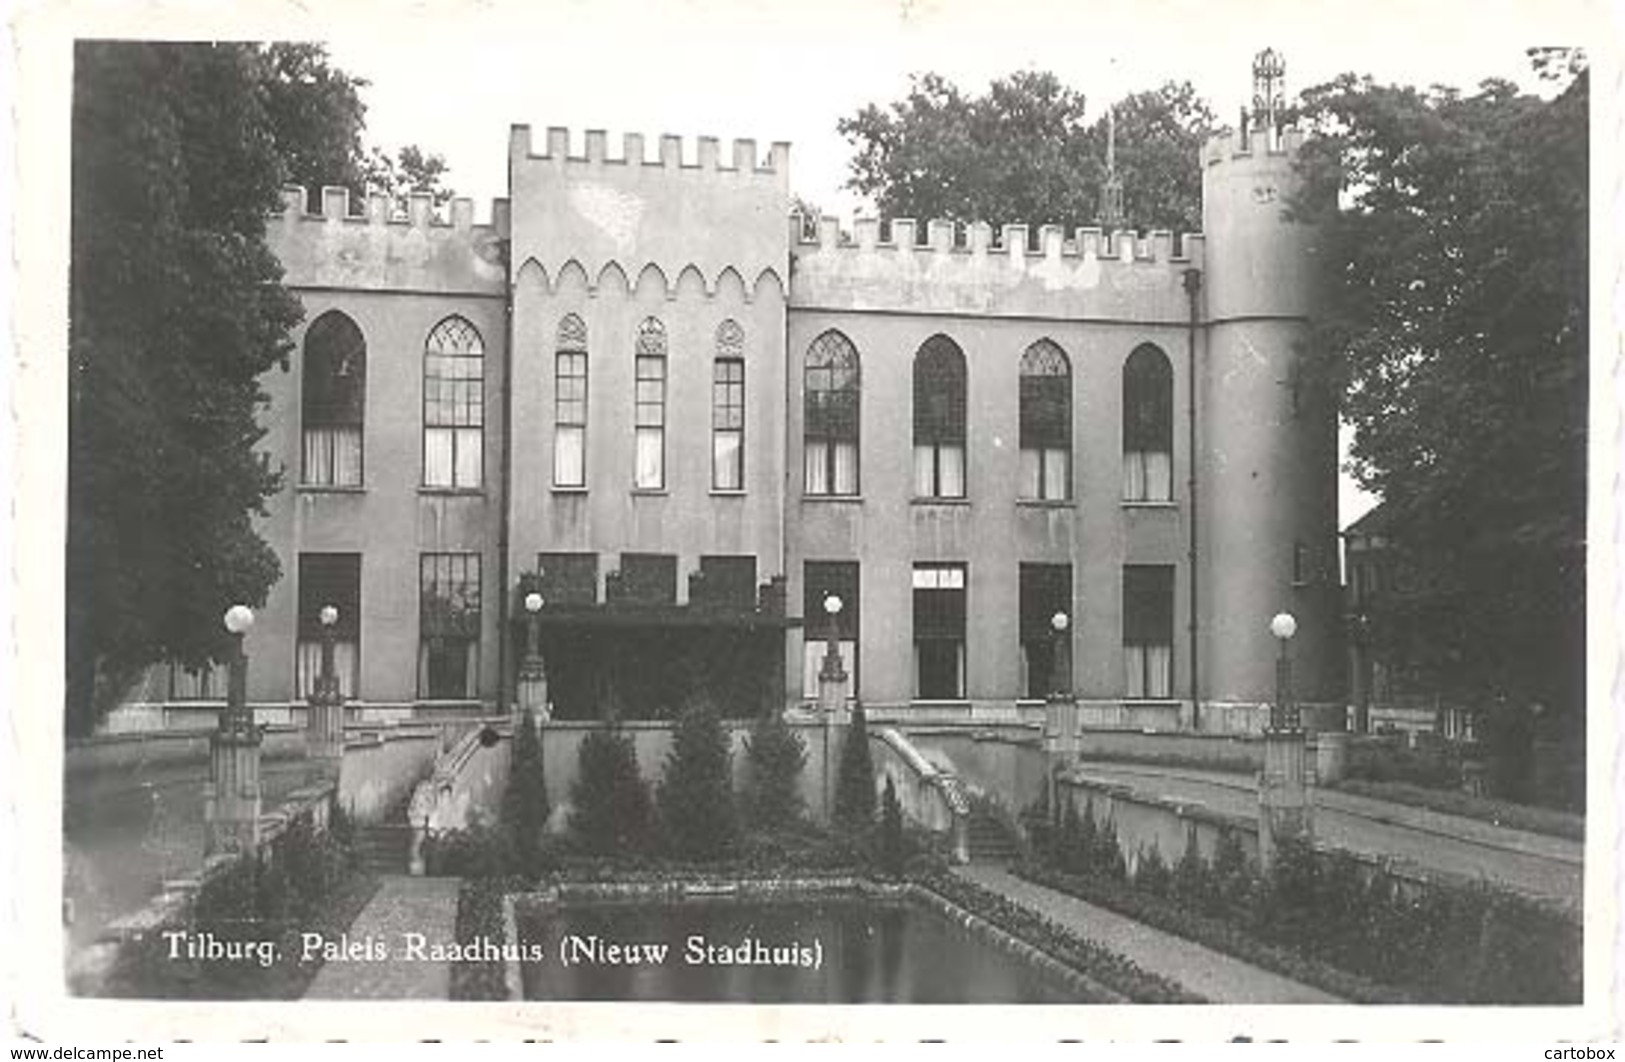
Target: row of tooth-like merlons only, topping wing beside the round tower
pixel 979 241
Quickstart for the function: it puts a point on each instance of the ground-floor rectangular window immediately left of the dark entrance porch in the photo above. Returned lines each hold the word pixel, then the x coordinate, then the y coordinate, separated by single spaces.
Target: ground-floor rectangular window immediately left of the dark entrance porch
pixel 449 628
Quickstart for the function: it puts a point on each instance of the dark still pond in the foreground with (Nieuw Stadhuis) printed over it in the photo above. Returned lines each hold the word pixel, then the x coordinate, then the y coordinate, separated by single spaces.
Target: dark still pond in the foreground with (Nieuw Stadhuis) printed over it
pixel 753 952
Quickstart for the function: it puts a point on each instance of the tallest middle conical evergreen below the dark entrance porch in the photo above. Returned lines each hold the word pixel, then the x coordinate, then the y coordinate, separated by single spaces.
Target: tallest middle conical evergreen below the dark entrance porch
pixel 696 793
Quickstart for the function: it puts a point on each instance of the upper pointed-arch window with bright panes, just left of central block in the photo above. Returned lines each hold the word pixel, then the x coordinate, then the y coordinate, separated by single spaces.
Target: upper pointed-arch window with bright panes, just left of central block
pixel 454 407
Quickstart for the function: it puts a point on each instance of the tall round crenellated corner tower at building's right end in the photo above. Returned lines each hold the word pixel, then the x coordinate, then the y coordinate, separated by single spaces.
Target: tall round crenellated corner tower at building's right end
pixel 1268 468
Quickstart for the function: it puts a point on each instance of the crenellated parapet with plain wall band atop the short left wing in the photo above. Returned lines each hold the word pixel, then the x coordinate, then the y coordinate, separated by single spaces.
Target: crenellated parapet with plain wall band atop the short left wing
pixel 391 244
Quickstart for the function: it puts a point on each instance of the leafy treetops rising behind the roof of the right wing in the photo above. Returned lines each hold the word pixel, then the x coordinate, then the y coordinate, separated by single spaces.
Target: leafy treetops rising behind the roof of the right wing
pixel 1026 153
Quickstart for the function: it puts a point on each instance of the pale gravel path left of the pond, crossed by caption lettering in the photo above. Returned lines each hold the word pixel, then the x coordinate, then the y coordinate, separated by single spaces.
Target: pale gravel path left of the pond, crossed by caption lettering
pixel 404 905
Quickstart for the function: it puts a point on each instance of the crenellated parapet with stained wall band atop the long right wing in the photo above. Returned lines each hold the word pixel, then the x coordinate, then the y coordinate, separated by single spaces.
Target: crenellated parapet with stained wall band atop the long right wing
pixel 955 269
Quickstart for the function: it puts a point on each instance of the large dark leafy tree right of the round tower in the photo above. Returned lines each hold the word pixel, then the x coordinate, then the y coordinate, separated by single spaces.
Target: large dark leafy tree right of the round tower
pixel 1457 327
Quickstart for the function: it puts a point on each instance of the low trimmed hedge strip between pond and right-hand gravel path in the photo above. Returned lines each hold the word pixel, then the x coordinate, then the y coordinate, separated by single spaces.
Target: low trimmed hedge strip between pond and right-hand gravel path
pixel 1109 969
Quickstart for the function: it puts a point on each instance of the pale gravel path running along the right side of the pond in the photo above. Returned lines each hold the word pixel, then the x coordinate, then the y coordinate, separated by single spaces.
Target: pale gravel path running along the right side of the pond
pixel 1215 975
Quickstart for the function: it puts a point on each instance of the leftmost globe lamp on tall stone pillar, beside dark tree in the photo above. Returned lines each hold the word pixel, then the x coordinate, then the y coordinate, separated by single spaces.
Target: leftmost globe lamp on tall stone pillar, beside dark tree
pixel 233 800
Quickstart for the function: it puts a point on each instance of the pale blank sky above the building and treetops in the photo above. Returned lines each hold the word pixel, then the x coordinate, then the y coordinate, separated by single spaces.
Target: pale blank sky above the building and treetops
pixel 453 79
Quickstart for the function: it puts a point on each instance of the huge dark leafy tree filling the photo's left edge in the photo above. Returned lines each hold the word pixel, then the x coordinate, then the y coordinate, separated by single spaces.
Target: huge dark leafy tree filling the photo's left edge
pixel 176 309
